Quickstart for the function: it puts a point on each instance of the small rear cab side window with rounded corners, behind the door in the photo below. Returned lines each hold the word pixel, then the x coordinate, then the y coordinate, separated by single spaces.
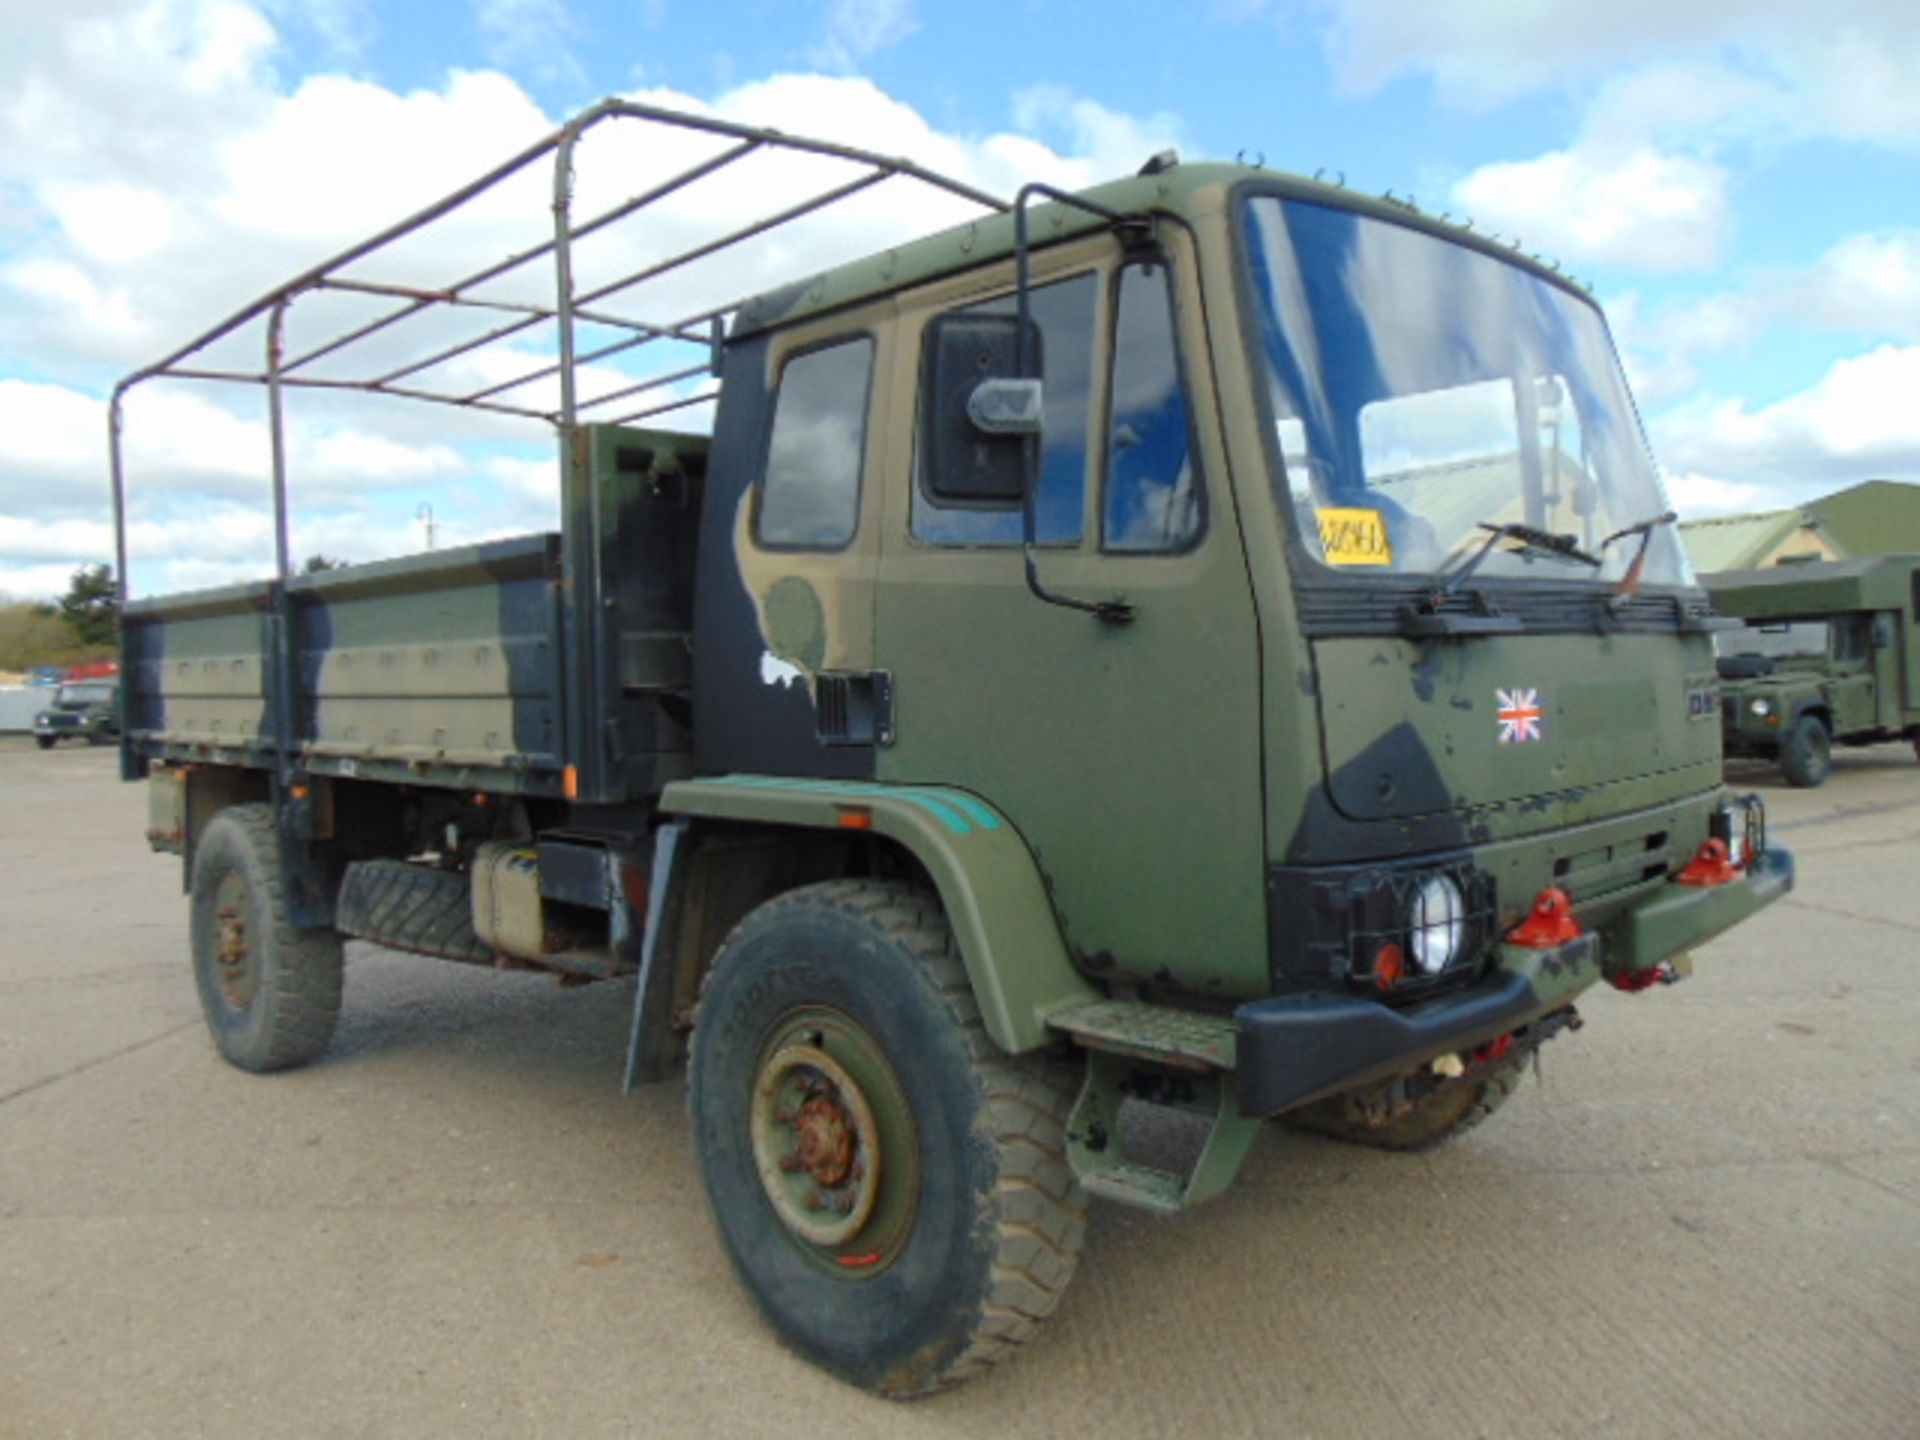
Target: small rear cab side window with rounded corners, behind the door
pixel 811 494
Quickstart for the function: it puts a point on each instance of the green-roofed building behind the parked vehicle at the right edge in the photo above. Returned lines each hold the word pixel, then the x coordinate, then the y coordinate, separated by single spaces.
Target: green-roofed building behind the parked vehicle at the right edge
pixel 1875 517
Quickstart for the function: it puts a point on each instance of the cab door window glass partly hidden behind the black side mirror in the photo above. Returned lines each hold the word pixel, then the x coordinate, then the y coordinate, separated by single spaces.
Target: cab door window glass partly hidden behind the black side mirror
pixel 1065 316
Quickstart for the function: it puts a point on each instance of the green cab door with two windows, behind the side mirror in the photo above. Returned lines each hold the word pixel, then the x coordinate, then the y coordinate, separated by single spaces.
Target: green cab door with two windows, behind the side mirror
pixel 1128 756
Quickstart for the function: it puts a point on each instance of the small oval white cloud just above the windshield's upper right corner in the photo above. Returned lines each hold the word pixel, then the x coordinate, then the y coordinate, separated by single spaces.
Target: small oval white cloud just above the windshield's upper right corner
pixel 1639 208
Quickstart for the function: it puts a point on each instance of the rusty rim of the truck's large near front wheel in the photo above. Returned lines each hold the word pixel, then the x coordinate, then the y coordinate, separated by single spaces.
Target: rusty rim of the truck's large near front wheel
pixel 834 1143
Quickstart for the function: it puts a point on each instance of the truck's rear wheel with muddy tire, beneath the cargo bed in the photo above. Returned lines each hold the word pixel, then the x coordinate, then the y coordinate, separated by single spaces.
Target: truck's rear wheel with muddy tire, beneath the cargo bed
pixel 270 994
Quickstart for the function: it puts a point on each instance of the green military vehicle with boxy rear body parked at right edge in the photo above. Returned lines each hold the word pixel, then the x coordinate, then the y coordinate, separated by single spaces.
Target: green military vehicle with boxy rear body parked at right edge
pixel 1829 656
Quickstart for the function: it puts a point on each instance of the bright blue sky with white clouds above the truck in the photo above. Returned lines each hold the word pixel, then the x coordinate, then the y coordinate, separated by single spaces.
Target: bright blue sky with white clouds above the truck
pixel 1737 181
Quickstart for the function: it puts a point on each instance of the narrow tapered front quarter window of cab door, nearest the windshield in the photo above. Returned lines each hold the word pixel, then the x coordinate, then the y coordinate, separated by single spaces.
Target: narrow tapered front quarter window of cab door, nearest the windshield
pixel 1153 487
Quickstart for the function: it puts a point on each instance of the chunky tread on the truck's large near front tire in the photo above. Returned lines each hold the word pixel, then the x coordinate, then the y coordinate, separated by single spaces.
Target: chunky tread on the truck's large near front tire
pixel 1040 1207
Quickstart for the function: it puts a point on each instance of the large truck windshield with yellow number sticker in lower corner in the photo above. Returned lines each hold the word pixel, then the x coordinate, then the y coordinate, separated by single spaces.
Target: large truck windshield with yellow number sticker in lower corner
pixel 1424 389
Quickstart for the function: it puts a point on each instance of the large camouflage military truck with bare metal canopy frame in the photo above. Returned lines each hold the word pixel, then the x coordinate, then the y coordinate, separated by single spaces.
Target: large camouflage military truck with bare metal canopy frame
pixel 1212 642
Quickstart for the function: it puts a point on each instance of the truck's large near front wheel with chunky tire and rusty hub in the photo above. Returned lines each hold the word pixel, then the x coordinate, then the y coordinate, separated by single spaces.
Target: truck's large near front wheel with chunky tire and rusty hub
pixel 892 1189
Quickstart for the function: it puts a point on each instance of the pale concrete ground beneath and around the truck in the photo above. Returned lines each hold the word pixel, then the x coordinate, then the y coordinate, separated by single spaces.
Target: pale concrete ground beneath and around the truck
pixel 1702 1222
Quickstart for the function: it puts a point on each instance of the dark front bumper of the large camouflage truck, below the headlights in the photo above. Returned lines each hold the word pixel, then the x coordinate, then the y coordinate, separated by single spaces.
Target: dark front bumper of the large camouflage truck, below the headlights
pixel 1293 1049
